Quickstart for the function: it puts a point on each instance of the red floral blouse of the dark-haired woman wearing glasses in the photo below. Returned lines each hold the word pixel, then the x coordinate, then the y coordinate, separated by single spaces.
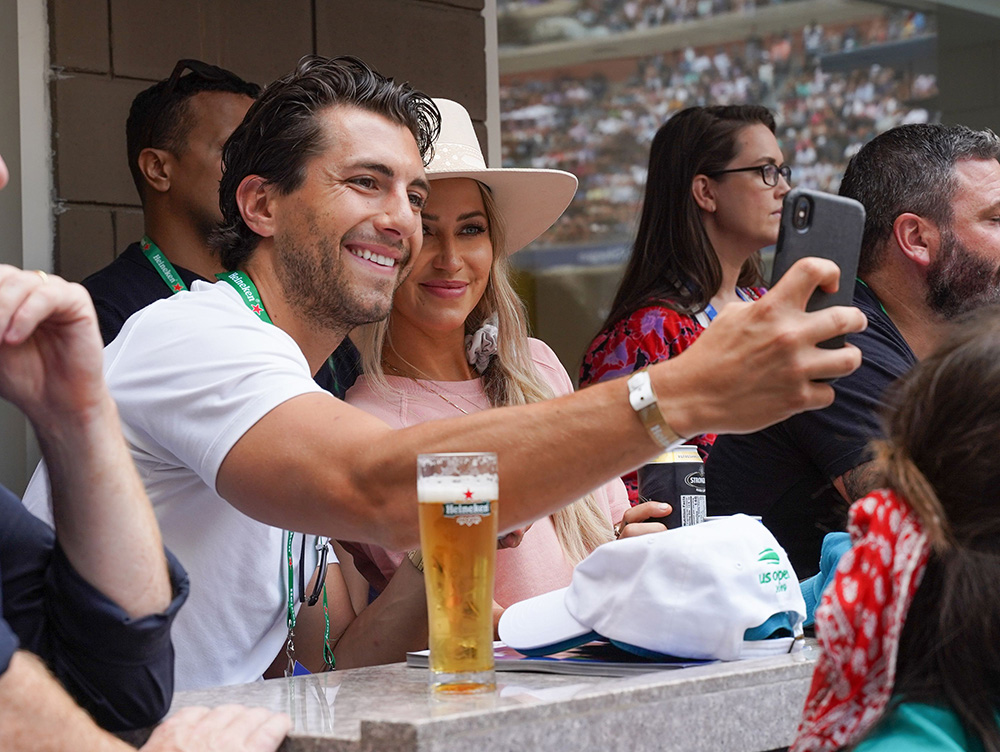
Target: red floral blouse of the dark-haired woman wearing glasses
pixel 651 334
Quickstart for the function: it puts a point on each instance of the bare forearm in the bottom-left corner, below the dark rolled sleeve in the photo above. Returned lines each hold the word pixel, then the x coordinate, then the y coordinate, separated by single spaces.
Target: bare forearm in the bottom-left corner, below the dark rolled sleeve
pixel 36 714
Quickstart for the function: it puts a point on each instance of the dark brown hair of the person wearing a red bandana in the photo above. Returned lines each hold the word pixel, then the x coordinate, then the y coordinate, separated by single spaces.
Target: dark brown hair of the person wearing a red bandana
pixel 940 455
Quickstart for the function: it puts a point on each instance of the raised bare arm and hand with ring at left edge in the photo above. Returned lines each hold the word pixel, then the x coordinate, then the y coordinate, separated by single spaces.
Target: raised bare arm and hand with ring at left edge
pixel 50 367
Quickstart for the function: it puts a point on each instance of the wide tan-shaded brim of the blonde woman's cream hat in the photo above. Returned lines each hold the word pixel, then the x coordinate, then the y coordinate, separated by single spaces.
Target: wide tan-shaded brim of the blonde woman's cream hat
pixel 530 201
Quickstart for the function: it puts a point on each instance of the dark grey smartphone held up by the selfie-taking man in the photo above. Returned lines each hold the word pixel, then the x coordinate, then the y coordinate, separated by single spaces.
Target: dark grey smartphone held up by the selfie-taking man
pixel 820 224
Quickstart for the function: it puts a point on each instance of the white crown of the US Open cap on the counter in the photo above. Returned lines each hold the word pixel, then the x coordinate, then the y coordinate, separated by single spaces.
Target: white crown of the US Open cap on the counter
pixel 692 591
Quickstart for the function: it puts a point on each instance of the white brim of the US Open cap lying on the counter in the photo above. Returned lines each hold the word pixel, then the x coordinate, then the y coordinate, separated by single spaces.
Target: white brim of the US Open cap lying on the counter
pixel 542 625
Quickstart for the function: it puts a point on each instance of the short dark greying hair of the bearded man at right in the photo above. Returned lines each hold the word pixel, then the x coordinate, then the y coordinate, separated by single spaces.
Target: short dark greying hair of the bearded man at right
pixel 910 168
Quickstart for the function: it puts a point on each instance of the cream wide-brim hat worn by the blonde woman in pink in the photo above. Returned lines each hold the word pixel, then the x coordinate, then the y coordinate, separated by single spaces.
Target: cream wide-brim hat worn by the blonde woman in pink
pixel 529 200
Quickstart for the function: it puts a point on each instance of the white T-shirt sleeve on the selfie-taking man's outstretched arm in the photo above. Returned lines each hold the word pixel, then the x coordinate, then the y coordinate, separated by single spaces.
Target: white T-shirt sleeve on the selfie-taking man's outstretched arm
pixel 192 376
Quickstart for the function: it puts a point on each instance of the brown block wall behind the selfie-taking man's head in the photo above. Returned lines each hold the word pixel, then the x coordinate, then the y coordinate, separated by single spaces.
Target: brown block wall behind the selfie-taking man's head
pixel 104 52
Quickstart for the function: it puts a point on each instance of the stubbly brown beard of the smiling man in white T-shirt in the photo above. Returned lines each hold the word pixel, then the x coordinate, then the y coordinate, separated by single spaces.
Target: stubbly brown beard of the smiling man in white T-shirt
pixel 317 287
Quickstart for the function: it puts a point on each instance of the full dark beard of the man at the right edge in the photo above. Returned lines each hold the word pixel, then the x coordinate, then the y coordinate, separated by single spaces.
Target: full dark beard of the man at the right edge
pixel 959 280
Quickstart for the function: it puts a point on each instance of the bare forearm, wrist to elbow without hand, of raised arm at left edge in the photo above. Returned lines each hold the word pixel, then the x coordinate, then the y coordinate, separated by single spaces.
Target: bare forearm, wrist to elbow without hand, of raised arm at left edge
pixel 103 519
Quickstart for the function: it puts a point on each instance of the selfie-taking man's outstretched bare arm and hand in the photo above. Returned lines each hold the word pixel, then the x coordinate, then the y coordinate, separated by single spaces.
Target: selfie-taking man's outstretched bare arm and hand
pixel 316 464
